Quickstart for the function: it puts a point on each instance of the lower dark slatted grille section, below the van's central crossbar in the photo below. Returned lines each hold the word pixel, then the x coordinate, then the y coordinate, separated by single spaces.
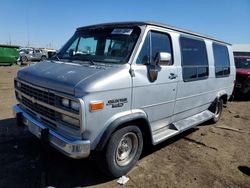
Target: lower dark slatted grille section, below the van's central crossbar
pixel 49 113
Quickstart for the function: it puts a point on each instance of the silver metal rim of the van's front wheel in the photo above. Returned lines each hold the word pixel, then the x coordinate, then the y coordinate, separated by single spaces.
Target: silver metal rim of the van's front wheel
pixel 127 149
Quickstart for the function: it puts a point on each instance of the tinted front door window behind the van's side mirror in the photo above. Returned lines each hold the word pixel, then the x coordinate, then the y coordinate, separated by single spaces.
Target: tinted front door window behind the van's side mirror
pixel 159 43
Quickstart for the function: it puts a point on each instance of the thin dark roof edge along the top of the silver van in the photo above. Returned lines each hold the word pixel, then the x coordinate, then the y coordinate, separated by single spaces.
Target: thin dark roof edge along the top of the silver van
pixel 137 23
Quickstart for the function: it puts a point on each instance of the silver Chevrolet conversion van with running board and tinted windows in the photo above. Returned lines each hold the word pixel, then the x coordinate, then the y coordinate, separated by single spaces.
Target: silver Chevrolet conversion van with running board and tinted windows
pixel 113 87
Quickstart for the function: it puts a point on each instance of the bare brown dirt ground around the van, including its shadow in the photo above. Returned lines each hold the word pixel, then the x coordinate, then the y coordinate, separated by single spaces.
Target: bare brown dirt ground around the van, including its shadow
pixel 206 156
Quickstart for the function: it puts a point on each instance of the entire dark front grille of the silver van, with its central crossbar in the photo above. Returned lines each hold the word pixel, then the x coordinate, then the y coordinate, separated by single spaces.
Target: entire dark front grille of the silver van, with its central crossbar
pixel 41 104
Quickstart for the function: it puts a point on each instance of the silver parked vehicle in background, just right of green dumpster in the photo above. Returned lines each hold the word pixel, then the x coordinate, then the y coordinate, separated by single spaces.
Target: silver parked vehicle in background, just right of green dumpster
pixel 32 54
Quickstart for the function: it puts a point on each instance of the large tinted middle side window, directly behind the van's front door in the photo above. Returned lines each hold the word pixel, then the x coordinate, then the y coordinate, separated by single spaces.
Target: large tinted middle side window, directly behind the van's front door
pixel 194 59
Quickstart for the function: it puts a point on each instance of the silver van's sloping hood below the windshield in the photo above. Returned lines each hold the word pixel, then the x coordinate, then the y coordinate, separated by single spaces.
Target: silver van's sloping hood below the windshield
pixel 58 76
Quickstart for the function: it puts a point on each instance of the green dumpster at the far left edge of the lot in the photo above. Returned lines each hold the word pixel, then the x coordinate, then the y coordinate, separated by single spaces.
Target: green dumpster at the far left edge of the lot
pixel 8 54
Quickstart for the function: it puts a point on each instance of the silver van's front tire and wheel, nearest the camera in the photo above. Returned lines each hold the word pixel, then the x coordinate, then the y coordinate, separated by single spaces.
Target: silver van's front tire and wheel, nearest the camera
pixel 116 149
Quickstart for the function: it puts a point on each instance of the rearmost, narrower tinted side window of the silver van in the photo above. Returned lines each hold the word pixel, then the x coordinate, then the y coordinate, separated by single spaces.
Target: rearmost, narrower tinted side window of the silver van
pixel 221 60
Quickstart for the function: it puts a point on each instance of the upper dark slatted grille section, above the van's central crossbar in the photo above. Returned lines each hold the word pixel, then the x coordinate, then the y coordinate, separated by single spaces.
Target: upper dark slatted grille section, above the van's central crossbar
pixel 44 96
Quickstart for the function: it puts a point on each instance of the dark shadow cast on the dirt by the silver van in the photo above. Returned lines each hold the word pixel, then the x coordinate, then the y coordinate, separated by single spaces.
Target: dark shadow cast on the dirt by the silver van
pixel 26 163
